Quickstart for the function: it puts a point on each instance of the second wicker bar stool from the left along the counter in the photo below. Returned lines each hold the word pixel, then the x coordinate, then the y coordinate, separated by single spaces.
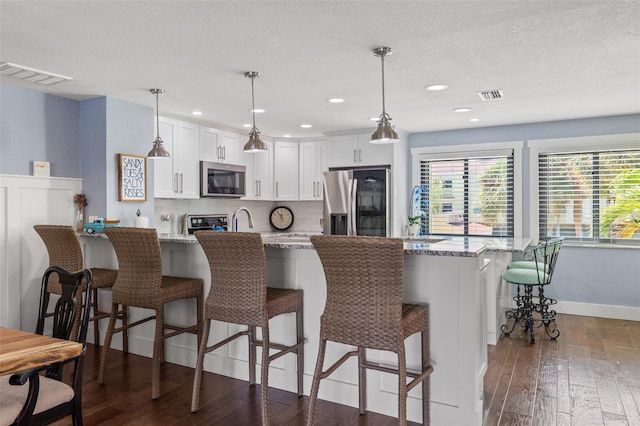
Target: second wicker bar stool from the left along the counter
pixel 140 283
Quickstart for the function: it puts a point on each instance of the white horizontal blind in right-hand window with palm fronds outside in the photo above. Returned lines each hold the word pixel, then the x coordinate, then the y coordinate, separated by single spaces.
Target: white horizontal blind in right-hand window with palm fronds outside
pixel 591 196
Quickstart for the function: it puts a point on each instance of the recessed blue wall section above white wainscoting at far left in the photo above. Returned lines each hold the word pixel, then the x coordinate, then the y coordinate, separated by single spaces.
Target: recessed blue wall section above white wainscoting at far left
pixel 40 127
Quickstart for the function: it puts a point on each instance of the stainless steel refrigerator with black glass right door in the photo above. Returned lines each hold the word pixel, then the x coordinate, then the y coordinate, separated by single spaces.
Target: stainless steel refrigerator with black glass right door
pixel 355 202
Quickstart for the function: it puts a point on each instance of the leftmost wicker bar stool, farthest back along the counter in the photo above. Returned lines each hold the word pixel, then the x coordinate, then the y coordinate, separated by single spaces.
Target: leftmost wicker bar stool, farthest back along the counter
pixel 65 251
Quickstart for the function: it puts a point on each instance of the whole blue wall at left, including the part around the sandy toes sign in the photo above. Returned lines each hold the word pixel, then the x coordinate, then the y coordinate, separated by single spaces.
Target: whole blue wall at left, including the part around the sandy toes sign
pixel 80 139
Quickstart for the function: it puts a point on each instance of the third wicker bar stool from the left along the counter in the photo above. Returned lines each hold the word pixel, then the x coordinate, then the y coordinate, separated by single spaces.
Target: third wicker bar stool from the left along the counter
pixel 239 295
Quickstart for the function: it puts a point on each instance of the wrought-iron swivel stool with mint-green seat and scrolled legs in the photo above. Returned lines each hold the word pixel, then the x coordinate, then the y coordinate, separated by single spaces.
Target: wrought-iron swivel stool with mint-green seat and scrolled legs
pixel 535 271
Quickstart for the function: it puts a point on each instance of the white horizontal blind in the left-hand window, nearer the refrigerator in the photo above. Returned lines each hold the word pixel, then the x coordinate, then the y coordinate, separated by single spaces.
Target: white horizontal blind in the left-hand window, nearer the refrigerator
pixel 469 195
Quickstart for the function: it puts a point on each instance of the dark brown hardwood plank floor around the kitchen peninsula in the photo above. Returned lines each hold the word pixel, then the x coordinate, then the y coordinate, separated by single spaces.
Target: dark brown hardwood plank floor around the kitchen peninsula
pixel 589 376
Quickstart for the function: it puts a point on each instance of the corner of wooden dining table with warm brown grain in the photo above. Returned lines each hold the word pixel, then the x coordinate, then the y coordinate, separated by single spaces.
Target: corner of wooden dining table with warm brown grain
pixel 21 350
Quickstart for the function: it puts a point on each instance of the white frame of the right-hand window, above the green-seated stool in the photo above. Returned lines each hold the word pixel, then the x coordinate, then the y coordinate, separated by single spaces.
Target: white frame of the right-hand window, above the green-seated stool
pixel 563 145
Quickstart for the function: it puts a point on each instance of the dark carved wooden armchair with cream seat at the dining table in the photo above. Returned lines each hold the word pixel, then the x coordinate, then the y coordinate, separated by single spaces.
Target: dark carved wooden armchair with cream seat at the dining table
pixel 48 398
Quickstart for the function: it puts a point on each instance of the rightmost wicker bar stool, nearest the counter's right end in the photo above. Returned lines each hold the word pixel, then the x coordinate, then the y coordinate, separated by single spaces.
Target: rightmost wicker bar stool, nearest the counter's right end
pixel 364 308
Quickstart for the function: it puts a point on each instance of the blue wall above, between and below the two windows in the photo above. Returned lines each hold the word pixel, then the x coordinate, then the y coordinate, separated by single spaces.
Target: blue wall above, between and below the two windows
pixel 607 276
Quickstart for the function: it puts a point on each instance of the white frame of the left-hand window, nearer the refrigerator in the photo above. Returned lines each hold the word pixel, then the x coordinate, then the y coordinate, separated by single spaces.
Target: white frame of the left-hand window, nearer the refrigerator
pixel 423 153
